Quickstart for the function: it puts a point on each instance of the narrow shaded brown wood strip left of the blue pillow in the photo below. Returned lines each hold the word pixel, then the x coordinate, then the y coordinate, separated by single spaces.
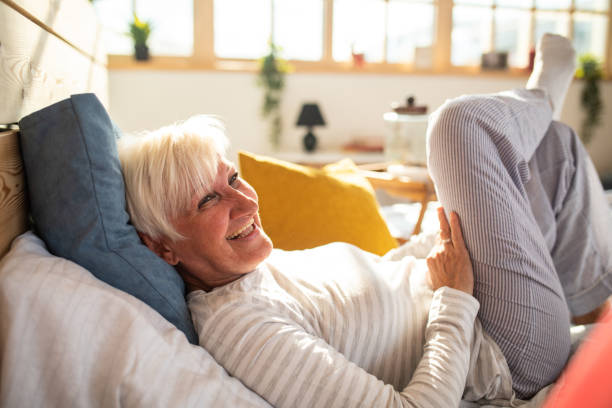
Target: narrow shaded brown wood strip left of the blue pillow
pixel 13 208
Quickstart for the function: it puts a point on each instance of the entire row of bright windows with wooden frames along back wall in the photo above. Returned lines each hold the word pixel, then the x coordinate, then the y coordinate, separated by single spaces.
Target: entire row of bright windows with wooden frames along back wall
pixel 326 35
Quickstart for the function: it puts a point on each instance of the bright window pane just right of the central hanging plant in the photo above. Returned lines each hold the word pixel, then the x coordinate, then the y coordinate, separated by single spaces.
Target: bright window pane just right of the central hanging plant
pixel 298 28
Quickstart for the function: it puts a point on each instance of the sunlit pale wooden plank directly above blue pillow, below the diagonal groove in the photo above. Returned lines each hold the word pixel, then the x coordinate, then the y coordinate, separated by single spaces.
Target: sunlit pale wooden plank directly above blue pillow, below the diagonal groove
pixel 37 68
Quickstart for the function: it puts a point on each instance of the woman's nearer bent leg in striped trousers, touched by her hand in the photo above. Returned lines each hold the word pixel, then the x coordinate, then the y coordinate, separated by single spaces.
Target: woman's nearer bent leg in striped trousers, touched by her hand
pixel 479 149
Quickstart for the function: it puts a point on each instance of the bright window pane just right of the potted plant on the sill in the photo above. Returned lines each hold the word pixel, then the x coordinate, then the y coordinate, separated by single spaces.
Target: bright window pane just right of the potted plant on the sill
pixel 171 25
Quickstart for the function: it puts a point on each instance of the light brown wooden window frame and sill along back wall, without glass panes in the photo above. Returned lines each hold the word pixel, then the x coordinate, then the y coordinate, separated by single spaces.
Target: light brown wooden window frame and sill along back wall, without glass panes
pixel 203 57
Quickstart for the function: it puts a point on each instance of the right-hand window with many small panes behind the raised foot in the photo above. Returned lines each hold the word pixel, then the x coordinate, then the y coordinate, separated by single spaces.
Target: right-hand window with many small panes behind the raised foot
pixel 514 26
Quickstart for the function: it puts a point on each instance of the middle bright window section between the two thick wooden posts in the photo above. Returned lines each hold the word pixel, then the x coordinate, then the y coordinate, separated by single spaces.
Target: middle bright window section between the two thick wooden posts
pixel 383 30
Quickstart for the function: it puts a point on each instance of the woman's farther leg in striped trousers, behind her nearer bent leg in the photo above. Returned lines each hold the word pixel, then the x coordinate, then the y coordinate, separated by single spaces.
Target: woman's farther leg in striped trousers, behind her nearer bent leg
pixel 569 205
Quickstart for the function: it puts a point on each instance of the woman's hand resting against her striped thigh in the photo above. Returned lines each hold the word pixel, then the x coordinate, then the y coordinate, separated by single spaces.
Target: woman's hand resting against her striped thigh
pixel 449 261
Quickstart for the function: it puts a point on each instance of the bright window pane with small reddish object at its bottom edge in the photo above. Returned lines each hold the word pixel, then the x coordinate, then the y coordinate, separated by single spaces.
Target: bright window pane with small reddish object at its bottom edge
pixel 359 25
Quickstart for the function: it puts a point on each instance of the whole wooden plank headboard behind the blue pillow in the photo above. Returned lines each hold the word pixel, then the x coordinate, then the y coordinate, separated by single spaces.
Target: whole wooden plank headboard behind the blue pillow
pixel 49 50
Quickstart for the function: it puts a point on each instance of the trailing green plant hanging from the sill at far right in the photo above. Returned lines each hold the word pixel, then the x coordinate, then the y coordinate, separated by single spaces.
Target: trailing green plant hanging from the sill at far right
pixel 589 69
